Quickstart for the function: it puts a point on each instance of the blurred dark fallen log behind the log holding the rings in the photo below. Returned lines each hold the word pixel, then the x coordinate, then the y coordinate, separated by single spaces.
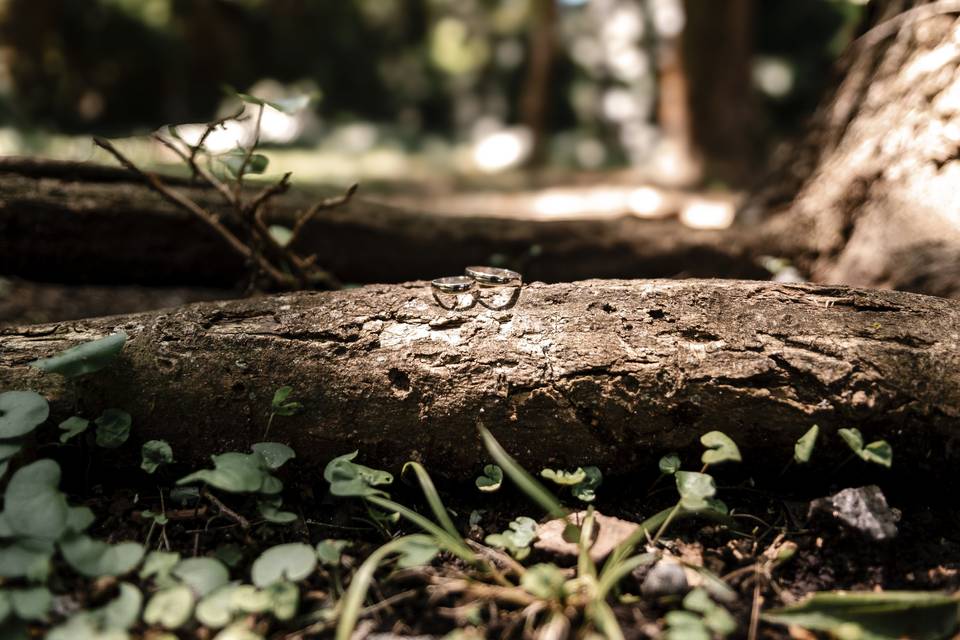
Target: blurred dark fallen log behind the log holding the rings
pixel 76 223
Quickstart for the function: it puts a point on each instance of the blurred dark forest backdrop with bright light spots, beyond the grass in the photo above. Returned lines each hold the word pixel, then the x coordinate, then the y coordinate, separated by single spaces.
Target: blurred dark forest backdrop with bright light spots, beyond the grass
pixel 578 83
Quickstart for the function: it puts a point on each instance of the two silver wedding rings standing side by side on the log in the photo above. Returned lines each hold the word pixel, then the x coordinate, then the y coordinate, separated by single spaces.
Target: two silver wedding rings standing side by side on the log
pixel 502 287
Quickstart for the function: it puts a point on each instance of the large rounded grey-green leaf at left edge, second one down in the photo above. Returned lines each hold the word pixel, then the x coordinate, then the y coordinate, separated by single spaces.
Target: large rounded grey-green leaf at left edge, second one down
pixel 34 505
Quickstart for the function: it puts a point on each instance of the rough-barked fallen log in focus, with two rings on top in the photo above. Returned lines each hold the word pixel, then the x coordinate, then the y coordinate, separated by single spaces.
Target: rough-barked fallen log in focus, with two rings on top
pixel 613 373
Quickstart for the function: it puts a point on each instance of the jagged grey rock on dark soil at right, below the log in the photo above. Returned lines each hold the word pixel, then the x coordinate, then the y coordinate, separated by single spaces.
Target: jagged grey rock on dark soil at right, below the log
pixel 863 510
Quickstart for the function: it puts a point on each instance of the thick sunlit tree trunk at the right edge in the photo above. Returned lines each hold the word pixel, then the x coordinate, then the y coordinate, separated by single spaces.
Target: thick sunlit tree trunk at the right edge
pixel 877 203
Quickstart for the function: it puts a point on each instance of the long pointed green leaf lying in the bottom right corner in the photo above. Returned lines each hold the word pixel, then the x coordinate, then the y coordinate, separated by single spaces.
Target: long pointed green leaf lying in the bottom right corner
pixel 883 615
